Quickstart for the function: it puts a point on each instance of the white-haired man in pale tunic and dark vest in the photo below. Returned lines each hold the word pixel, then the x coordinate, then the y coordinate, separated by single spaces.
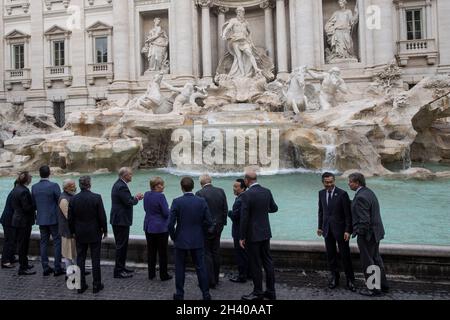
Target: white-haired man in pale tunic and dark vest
pixel 68 244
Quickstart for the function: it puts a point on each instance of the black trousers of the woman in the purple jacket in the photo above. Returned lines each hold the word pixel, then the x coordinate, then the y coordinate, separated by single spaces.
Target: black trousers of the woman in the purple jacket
pixel 157 244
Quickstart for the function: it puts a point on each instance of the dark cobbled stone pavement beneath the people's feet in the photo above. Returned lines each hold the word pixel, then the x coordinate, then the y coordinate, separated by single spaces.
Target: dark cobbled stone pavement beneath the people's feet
pixel 291 285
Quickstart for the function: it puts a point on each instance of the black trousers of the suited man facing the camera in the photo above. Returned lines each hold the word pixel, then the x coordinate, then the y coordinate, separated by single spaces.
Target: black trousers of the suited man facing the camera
pixel 332 255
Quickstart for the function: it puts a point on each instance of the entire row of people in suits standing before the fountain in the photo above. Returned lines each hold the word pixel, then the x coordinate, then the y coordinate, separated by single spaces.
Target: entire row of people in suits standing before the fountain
pixel 195 222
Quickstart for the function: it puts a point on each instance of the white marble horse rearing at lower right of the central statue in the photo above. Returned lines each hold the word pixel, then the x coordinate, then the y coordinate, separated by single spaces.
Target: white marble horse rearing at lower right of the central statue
pixel 296 94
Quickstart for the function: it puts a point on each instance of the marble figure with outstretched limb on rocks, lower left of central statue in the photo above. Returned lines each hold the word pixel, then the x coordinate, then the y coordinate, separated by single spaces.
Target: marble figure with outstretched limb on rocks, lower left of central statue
pixel 186 97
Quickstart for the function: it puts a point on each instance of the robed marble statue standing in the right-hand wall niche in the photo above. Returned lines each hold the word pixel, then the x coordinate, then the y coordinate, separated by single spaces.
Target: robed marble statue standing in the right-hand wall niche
pixel 338 30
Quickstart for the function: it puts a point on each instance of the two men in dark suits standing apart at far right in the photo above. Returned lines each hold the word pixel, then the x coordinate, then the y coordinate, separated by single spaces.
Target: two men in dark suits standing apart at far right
pixel 339 219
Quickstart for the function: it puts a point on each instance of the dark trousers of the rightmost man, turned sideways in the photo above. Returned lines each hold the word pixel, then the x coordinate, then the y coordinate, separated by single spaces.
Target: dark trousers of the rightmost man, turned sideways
pixel 370 255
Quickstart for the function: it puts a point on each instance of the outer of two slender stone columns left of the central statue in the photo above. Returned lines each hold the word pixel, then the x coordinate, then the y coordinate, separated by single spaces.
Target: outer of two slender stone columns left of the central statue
pixel 206 39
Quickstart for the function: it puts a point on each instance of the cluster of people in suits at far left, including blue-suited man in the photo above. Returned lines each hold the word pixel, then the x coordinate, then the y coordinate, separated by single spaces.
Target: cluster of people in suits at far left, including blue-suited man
pixel 23 209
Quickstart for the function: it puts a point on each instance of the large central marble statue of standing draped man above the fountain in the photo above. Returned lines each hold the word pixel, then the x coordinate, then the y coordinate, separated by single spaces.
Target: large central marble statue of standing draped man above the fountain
pixel 243 59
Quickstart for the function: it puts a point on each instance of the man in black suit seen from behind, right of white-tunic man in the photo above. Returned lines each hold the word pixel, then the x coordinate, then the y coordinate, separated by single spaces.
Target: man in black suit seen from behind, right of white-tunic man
pixel 87 221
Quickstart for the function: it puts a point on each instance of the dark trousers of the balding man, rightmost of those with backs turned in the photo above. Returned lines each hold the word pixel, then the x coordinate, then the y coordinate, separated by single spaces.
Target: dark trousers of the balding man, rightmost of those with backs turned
pixel 259 257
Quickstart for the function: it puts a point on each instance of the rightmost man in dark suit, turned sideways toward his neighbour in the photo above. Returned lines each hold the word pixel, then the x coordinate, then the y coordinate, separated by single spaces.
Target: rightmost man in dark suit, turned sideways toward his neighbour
pixel 368 227
